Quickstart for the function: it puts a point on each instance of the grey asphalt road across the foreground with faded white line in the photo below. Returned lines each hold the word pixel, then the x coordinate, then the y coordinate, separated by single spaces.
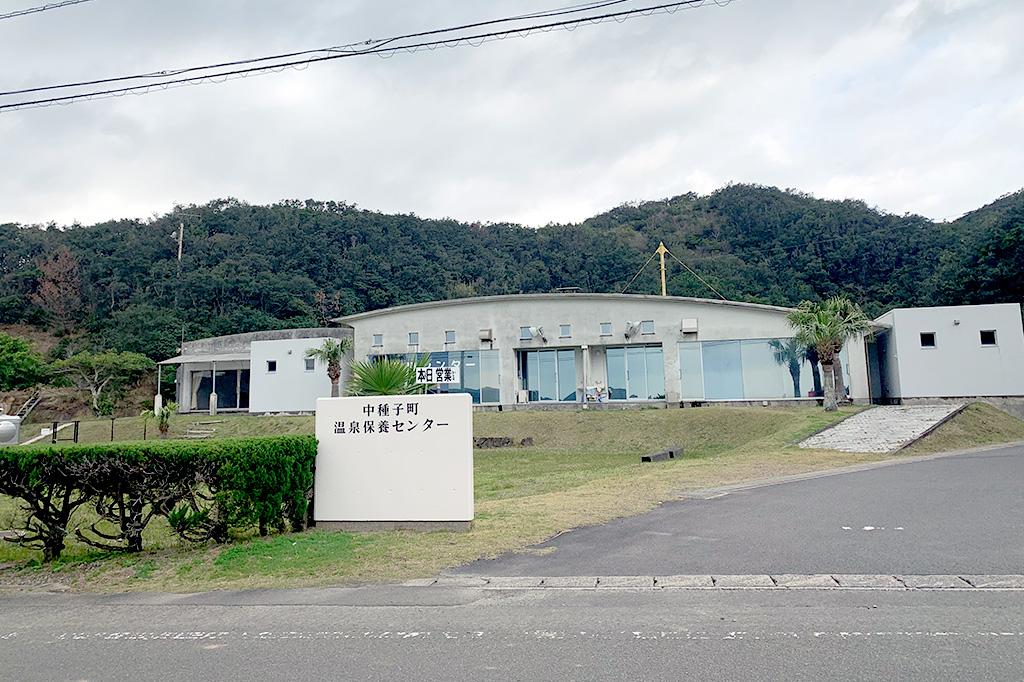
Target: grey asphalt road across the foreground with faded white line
pixel 459 633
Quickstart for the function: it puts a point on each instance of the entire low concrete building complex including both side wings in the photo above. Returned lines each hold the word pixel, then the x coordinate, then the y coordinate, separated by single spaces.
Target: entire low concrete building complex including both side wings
pixel 605 351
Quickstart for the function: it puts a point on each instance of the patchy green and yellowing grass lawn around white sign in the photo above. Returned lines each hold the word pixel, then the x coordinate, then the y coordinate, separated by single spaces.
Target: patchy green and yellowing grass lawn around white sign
pixel 583 470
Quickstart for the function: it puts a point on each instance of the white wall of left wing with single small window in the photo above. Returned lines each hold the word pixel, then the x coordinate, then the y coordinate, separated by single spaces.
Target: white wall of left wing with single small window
pixel 291 389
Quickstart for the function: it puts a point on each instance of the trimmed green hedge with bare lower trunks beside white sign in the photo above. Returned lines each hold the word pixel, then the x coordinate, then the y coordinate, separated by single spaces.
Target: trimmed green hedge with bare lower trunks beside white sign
pixel 204 488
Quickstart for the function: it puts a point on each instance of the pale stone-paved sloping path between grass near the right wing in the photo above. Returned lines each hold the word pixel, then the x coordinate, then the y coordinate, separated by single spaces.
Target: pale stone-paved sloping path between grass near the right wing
pixel 882 430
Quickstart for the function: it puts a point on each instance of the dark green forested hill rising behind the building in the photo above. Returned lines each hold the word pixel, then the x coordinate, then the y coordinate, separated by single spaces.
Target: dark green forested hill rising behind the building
pixel 298 264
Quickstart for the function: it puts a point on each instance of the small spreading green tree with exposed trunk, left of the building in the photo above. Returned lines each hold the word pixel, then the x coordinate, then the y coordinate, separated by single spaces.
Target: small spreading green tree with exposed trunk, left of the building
pixel 104 375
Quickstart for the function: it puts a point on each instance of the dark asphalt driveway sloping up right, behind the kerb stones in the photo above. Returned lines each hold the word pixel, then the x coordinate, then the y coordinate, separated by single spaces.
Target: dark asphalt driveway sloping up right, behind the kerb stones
pixel 950 516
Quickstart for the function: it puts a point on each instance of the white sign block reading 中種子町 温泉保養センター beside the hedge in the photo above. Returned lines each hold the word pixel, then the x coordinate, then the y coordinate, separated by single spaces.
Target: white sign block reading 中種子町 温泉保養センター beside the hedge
pixel 395 458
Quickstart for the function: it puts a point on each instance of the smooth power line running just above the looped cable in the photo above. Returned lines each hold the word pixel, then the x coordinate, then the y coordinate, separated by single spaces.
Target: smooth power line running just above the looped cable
pixel 366 45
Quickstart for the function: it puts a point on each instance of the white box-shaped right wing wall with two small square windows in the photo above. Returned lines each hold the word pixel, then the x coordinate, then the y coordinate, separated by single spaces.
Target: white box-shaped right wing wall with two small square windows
pixel 959 366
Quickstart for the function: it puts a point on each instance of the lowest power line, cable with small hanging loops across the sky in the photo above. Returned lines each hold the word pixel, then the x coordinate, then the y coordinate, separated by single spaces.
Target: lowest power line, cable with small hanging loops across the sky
pixel 380 49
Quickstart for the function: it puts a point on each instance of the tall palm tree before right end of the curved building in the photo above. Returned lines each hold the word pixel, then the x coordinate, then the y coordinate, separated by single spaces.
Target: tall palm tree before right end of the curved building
pixel 827 326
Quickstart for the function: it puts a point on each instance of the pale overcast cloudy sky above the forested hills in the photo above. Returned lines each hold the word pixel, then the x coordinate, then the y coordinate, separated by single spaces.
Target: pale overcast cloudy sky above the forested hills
pixel 913 106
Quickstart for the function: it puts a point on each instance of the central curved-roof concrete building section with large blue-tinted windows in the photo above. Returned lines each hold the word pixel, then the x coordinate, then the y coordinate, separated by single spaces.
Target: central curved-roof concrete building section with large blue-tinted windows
pixel 605 349
